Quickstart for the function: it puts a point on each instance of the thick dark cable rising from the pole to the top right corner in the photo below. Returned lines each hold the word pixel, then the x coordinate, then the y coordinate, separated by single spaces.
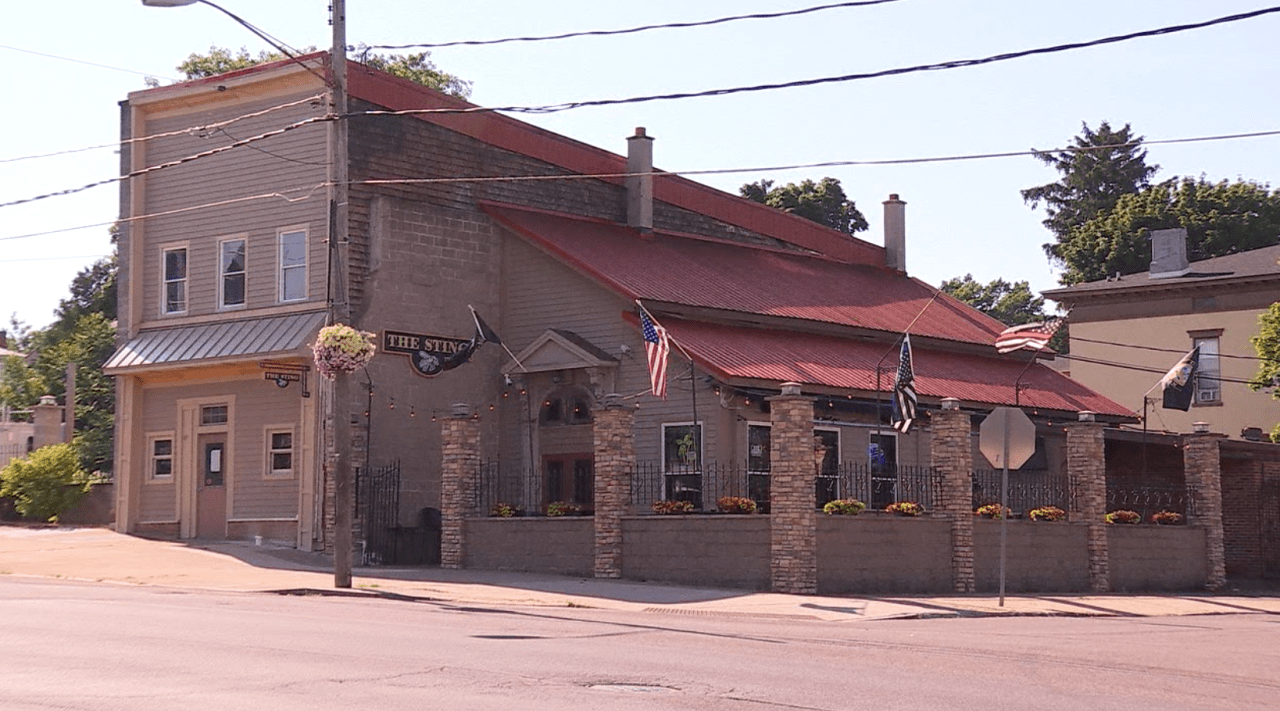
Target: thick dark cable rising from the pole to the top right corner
pixel 939 66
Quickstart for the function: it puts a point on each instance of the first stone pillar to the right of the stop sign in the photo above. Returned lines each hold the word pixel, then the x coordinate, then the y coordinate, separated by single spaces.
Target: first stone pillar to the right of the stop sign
pixel 1087 477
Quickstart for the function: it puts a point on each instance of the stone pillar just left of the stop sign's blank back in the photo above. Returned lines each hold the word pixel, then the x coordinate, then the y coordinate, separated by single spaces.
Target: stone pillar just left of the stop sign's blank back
pixel 952 453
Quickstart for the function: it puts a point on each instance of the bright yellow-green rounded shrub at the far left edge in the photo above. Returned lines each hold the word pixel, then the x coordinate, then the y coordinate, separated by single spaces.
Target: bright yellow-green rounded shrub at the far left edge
pixel 47 484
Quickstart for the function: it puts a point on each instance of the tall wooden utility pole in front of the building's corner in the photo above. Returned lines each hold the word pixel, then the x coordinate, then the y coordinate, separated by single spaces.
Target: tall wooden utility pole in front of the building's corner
pixel 340 306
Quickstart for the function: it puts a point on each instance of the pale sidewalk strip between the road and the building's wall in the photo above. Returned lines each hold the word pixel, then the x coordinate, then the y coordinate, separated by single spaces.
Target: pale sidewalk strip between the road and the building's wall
pixel 102 555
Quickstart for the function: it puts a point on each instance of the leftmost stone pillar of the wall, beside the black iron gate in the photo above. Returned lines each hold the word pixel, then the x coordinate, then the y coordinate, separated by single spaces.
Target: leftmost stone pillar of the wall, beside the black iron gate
pixel 460 473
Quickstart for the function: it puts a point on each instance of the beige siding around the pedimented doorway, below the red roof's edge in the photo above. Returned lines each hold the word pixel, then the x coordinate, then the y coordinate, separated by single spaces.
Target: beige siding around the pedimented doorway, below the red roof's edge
pixel 540 289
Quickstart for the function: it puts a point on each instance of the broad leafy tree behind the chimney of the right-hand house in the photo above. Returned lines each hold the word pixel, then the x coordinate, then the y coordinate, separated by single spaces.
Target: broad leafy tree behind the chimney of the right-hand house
pixel 1220 218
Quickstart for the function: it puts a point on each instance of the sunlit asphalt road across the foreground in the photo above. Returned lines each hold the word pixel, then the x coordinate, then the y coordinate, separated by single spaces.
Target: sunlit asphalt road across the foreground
pixel 83 646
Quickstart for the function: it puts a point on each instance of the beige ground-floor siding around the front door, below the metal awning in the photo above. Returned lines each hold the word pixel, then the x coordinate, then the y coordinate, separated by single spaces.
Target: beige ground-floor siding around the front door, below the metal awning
pixel 258 404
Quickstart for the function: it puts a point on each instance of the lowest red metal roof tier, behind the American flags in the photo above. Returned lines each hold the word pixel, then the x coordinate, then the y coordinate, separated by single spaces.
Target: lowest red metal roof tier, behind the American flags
pixel 738 353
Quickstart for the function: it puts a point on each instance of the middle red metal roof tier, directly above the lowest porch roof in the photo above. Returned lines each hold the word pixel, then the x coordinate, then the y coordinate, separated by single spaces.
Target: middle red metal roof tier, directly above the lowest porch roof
pixel 707 274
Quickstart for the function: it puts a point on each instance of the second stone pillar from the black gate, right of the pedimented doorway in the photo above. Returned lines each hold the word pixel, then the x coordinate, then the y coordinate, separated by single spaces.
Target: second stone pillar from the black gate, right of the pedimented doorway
pixel 615 461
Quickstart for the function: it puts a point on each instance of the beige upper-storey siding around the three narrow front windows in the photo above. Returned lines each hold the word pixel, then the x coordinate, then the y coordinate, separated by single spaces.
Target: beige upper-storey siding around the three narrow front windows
pixel 296 159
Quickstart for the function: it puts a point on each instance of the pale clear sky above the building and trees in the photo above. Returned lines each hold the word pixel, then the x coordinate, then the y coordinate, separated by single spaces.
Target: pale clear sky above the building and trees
pixel 961 218
